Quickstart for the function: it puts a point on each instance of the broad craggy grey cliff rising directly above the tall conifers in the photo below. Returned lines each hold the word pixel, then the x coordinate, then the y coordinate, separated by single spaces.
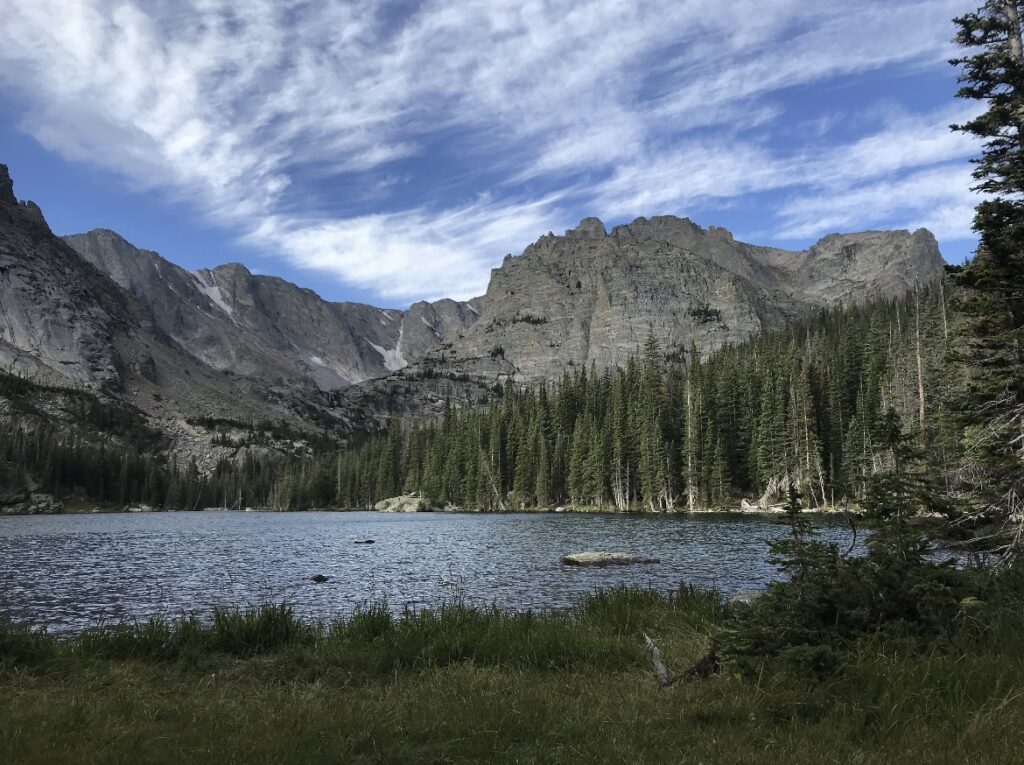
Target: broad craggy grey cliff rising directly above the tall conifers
pixel 590 297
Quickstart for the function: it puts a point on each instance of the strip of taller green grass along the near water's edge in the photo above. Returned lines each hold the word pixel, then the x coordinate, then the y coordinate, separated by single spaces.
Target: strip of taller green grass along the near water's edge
pixel 598 632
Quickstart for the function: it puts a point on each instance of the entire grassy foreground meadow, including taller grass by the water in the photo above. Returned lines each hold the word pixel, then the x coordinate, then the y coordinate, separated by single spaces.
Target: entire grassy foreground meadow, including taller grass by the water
pixel 462 685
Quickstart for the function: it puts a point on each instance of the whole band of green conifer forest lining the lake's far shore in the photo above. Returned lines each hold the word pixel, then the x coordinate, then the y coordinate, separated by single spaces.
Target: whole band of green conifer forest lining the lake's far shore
pixel 663 434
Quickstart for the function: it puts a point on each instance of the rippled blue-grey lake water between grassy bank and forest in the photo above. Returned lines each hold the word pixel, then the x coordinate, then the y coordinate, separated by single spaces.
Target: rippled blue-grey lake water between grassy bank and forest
pixel 70 572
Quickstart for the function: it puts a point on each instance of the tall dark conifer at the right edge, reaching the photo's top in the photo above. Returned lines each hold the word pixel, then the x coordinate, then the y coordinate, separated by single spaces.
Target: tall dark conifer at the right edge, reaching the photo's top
pixel 991 335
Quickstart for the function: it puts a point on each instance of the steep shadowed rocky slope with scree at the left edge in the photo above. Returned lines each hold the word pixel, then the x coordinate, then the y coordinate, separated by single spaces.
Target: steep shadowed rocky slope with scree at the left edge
pixel 65 324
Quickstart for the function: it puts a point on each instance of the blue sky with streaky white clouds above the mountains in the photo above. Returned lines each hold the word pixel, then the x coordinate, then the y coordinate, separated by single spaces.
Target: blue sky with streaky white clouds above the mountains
pixel 393 152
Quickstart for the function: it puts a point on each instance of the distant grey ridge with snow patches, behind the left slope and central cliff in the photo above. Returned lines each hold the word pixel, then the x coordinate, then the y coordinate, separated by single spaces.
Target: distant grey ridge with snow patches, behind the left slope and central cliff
pixel 268 329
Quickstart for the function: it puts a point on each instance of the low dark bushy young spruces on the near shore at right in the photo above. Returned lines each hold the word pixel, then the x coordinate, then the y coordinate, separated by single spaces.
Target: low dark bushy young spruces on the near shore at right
pixel 900 587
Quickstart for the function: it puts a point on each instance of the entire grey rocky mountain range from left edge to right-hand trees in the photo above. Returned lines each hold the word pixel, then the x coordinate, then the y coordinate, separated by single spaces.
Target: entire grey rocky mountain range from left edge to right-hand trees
pixel 95 313
